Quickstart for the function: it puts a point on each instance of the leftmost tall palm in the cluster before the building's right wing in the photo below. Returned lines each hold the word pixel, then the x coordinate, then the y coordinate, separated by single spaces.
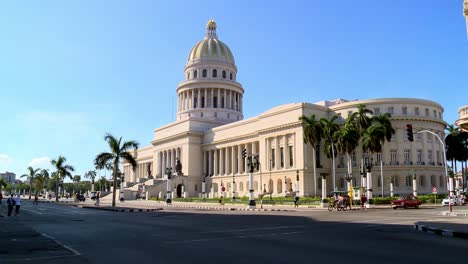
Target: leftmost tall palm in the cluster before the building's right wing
pixel 312 135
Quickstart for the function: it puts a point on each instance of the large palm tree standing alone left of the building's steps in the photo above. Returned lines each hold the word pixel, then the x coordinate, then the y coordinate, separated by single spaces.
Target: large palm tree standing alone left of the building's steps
pixel 118 151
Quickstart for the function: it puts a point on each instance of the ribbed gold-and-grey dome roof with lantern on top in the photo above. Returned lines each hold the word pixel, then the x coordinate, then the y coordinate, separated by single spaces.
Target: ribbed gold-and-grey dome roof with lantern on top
pixel 211 48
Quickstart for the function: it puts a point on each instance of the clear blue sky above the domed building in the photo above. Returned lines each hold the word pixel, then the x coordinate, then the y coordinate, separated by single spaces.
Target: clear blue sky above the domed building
pixel 70 71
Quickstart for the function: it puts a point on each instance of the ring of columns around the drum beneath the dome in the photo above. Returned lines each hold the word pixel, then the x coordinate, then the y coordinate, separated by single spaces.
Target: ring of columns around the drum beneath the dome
pixel 209 98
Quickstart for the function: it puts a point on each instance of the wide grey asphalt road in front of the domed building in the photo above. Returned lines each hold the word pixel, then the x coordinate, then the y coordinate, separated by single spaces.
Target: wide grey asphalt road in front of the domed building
pixel 56 233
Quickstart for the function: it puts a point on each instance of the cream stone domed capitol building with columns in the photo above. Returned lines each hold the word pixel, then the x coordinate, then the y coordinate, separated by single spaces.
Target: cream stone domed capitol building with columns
pixel 210 134
